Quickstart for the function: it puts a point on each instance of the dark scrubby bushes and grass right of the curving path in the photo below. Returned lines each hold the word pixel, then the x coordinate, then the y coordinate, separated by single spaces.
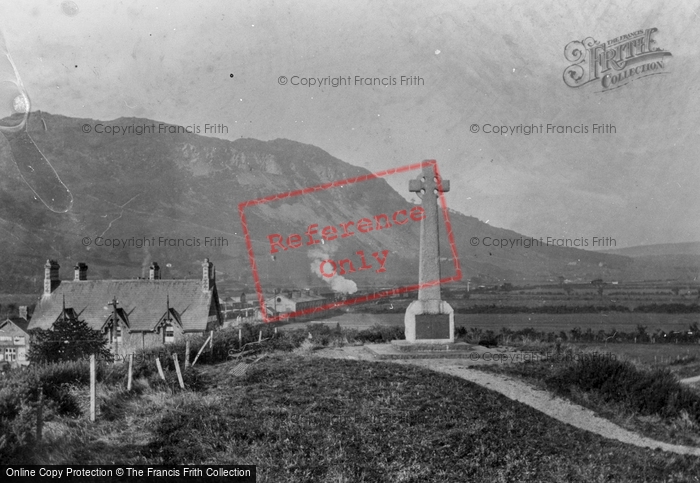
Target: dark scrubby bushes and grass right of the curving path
pixel 643 398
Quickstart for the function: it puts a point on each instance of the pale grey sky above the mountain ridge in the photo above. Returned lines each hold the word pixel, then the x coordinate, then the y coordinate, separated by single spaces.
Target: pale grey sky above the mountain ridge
pixel 478 64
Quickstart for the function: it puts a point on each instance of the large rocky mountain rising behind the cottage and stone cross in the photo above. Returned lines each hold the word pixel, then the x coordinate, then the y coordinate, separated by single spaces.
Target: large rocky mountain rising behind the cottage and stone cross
pixel 185 186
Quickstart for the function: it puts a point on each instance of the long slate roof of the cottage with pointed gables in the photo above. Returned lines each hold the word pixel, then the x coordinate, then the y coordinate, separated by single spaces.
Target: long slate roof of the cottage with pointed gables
pixel 144 302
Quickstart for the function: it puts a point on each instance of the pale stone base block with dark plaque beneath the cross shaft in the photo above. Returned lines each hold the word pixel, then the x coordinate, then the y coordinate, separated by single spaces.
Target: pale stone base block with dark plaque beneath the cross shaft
pixel 429 322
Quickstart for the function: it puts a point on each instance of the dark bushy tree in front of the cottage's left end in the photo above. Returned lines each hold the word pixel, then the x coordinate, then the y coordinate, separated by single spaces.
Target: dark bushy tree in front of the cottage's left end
pixel 68 340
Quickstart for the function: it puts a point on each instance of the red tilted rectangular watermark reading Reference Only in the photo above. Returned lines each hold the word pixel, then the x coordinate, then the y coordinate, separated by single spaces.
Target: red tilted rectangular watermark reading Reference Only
pixel 316 234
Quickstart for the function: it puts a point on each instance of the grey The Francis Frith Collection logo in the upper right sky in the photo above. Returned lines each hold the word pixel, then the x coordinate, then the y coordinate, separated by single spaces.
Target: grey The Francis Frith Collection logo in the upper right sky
pixel 614 63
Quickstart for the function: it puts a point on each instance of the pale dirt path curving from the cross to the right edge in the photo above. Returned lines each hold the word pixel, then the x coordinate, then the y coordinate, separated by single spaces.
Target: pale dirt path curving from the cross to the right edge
pixel 522 392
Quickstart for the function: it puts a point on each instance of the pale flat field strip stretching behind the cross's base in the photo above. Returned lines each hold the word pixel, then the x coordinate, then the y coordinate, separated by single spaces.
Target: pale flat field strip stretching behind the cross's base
pixel 541 322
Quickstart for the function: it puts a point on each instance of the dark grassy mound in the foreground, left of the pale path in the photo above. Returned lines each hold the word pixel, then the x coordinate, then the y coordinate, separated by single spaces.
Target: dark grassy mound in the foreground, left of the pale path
pixel 302 418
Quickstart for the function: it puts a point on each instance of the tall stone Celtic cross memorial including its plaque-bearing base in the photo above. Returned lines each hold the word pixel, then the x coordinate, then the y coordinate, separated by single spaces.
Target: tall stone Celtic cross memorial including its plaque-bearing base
pixel 429 320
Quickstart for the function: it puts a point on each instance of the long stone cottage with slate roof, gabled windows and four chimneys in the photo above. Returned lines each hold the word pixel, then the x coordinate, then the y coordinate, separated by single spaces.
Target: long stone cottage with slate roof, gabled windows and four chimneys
pixel 133 314
